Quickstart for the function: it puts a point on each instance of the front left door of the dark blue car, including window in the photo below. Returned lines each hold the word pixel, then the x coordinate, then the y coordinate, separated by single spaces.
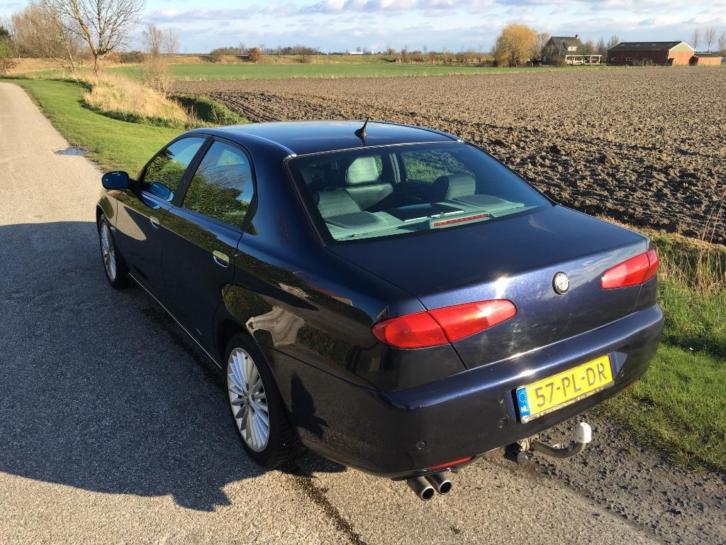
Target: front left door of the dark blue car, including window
pixel 144 208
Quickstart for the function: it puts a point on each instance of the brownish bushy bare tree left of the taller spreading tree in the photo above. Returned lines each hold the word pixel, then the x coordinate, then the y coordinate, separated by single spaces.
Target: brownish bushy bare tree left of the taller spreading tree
pixel 38 32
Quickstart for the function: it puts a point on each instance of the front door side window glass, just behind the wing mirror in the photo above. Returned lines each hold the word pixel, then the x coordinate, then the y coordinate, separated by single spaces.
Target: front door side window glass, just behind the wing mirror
pixel 164 172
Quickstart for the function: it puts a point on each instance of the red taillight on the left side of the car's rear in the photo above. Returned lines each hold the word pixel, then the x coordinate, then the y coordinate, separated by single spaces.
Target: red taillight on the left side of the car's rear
pixel 443 325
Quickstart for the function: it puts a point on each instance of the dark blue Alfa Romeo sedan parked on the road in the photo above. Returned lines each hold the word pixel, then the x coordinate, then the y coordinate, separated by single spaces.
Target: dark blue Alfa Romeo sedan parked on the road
pixel 388 296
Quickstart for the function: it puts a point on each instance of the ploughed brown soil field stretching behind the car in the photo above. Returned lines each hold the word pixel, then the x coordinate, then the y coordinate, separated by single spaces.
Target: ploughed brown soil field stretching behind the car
pixel 646 146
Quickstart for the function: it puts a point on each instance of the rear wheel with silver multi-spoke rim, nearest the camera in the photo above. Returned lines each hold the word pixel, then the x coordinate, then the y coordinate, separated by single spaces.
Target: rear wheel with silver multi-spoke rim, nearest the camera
pixel 256 407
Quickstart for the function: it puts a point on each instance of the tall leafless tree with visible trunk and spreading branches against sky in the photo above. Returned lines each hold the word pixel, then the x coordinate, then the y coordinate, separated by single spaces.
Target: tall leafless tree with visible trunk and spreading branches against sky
pixel 103 25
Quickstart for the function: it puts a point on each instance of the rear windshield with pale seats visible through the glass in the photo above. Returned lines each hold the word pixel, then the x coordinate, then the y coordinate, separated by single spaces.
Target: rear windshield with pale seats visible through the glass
pixel 394 190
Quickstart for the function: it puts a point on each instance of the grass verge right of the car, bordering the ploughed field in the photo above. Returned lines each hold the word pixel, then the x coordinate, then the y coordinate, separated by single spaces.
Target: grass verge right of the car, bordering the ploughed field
pixel 678 406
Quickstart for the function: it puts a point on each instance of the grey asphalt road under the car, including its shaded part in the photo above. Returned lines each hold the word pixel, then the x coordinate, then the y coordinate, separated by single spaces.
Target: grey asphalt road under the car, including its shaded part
pixel 114 430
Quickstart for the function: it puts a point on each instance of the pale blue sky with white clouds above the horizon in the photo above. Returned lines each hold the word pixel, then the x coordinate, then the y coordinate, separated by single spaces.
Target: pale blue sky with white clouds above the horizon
pixel 454 25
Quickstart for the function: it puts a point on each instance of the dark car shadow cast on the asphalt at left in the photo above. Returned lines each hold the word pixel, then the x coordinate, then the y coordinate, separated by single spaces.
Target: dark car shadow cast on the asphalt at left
pixel 100 389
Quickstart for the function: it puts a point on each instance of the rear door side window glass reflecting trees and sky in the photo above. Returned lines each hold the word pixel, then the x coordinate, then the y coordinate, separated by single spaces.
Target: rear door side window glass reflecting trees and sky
pixel 222 186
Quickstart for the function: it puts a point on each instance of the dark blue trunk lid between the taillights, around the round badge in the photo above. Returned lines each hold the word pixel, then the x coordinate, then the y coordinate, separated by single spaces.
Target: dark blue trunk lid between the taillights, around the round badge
pixel 513 258
